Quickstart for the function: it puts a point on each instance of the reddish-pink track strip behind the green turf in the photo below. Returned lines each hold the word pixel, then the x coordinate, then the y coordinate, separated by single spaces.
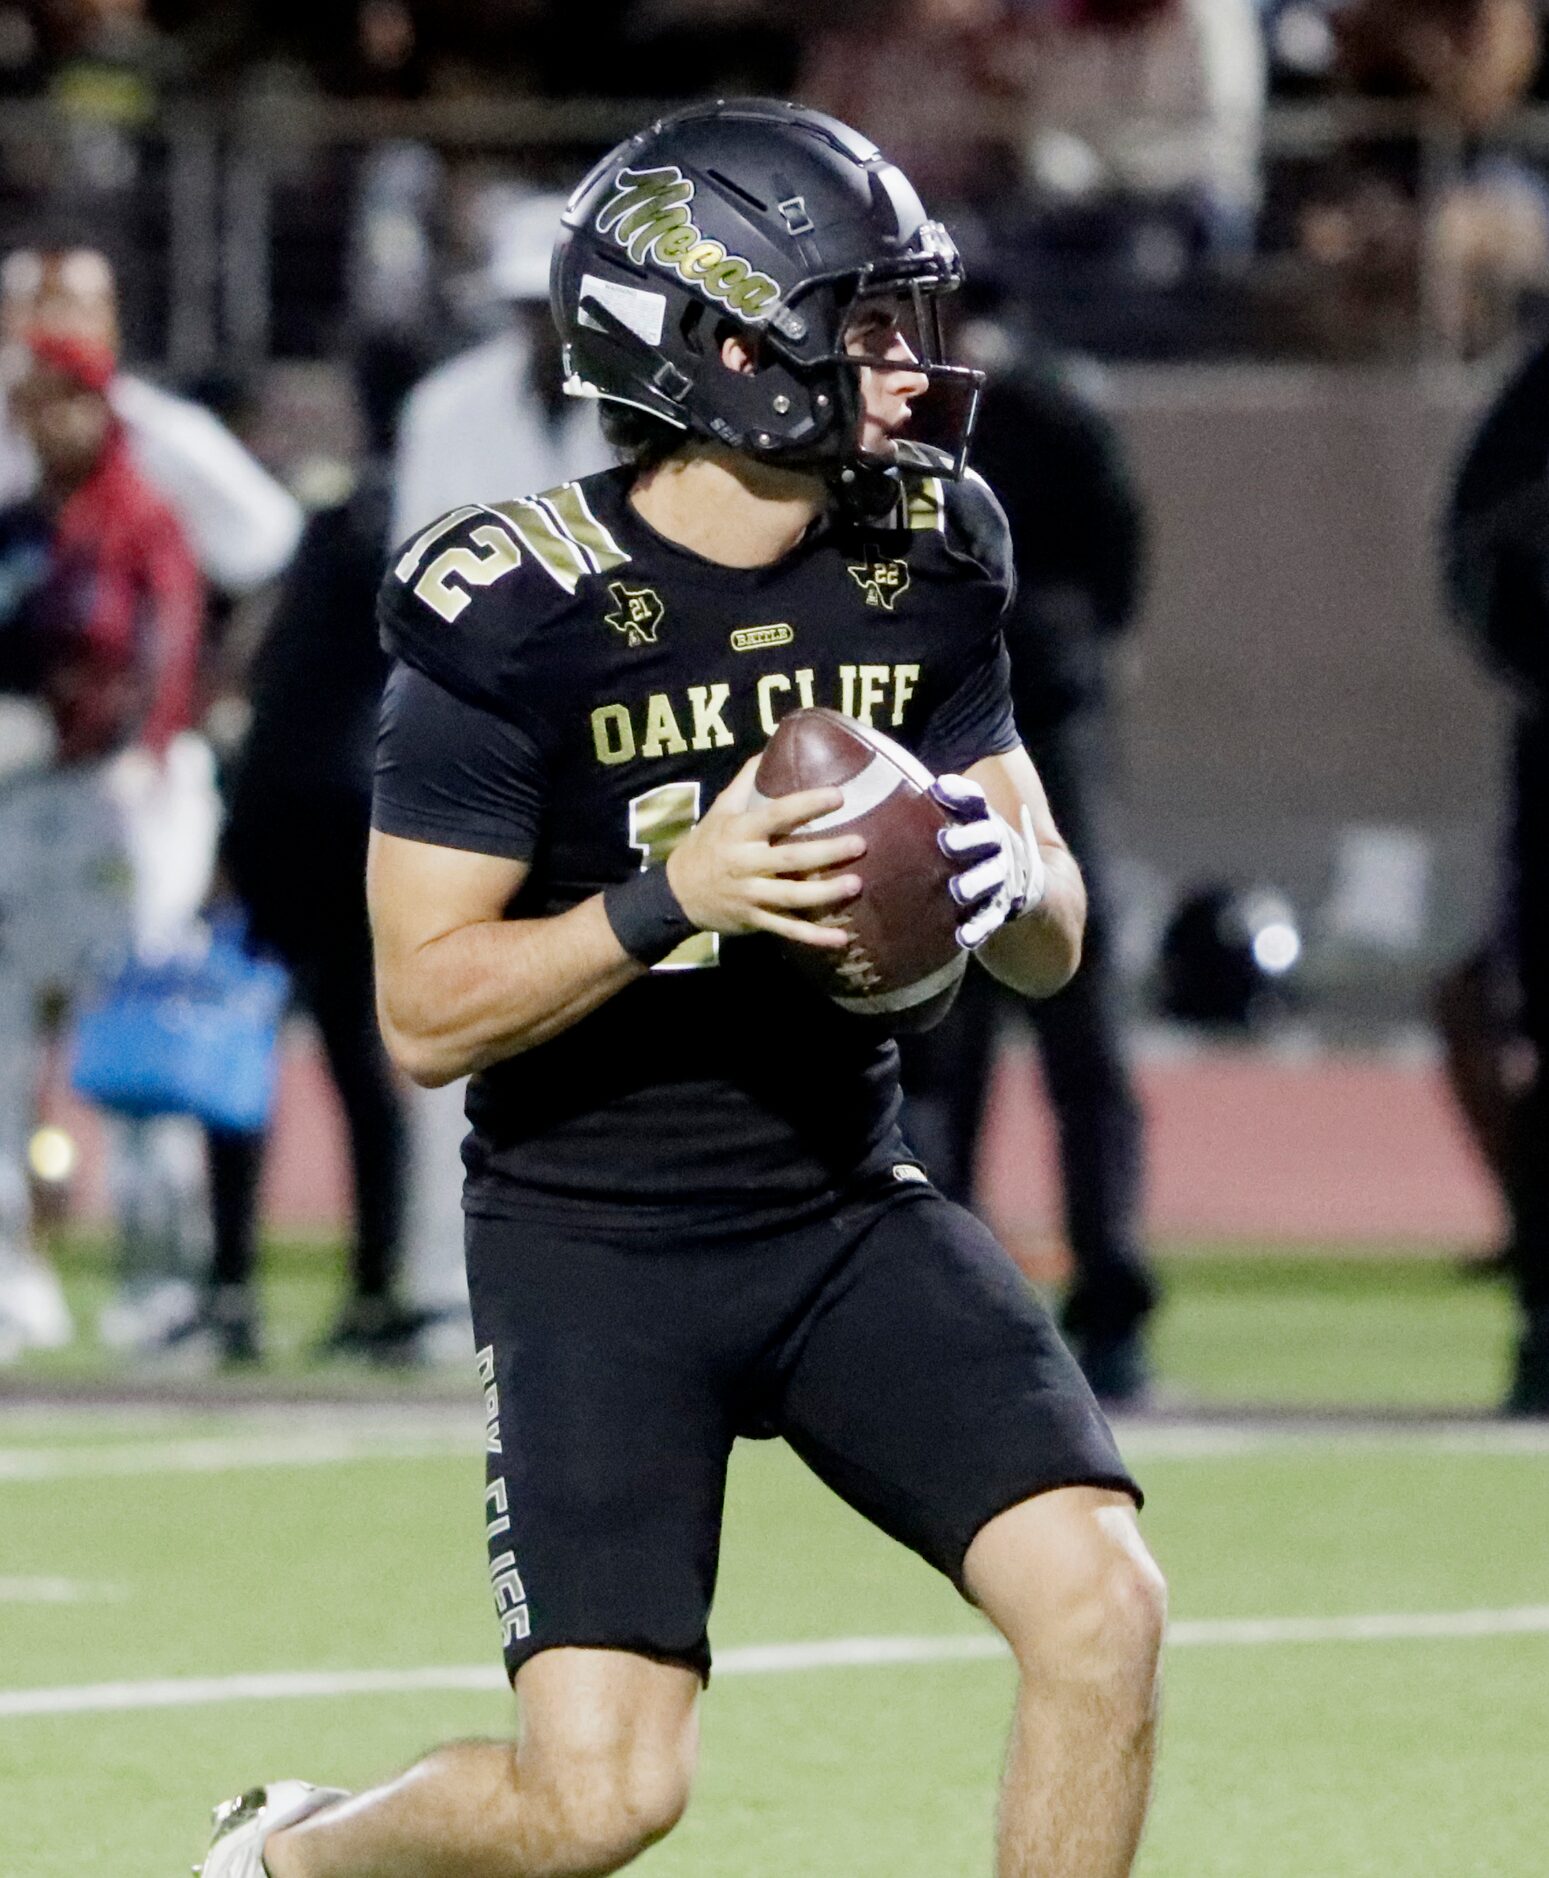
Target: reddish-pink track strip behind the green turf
pixel 1274 1145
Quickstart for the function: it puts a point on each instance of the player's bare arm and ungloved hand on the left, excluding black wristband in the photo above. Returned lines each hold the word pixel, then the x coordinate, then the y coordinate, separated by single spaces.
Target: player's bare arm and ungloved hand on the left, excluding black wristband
pixel 463 987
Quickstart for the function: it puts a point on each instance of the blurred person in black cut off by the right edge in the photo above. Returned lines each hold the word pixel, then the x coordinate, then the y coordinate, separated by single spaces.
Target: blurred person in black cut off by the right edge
pixel 1499 576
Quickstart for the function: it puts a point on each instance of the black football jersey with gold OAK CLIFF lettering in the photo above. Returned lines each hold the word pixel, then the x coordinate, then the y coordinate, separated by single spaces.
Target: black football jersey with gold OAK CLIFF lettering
pixel 575 690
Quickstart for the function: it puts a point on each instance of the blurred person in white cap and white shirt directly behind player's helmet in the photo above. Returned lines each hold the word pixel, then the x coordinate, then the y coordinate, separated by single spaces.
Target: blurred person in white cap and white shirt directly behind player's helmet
pixel 487 425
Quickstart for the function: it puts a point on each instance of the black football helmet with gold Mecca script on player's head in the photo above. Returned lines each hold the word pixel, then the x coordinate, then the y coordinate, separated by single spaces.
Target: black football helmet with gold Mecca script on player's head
pixel 780 221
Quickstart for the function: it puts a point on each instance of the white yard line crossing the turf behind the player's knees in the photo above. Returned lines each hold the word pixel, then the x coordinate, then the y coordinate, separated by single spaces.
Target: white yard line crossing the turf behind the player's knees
pixel 761 1659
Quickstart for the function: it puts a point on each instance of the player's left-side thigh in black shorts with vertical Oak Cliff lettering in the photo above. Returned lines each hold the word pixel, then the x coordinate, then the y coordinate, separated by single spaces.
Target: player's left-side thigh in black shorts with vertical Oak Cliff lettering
pixel 607 1443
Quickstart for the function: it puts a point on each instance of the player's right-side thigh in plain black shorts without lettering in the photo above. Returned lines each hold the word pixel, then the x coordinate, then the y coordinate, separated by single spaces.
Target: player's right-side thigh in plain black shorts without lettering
pixel 932 1389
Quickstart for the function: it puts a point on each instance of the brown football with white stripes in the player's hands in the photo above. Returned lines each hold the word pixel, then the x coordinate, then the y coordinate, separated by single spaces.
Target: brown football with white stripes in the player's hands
pixel 904 959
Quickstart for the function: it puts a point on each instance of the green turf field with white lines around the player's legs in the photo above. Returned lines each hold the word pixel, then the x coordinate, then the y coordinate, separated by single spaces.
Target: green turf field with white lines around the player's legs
pixel 164 1552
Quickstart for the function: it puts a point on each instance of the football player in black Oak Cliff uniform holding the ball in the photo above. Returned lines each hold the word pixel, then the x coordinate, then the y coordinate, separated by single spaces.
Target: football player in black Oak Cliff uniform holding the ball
pixel 690 1212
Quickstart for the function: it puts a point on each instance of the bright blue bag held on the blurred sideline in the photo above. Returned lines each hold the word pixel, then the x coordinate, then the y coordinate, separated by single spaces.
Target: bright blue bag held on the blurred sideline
pixel 196 1036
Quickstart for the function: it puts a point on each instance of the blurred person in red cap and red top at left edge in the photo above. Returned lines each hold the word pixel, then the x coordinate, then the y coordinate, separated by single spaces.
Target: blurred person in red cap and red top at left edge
pixel 100 619
